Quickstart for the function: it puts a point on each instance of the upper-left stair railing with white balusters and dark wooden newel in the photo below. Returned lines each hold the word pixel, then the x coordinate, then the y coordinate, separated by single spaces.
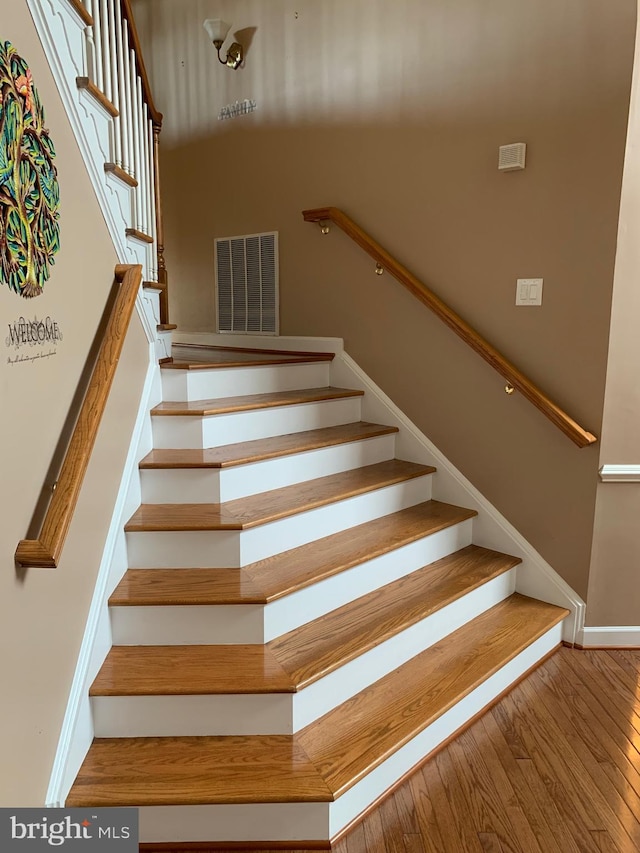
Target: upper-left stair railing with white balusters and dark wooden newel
pixel 117 77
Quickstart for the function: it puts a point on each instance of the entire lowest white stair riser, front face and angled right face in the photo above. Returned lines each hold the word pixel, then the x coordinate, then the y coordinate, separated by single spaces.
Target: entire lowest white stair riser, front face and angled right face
pixel 291 822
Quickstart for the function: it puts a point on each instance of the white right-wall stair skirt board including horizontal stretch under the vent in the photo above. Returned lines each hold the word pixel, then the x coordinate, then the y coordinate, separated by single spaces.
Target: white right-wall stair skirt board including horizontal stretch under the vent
pixel 534 577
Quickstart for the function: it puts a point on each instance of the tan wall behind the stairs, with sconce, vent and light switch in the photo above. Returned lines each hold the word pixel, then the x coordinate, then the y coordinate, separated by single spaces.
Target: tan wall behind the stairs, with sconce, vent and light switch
pixel 395 112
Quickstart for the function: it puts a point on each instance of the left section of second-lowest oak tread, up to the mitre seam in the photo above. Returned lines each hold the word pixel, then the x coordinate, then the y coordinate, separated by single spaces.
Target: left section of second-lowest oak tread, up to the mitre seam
pixel 190 671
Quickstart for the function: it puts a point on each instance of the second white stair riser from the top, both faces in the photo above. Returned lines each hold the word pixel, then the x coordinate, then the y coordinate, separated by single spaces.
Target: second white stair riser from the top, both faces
pixel 186 431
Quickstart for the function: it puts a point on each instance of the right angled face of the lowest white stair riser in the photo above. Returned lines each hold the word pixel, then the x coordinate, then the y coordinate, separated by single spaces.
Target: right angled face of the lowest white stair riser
pixel 353 802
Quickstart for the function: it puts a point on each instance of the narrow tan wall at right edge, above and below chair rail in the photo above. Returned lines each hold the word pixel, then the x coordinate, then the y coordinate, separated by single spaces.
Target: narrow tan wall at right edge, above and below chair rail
pixel 614 581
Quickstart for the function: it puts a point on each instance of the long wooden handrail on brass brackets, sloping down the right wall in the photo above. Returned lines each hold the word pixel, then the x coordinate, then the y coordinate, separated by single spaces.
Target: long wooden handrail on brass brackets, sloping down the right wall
pixel 504 367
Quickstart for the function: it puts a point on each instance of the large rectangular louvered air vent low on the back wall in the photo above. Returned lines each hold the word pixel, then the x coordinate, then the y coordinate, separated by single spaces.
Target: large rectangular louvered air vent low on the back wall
pixel 247 283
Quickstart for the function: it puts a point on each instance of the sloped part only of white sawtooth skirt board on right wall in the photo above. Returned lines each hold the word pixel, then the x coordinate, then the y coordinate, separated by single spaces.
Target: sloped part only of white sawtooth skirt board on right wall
pixel 535 576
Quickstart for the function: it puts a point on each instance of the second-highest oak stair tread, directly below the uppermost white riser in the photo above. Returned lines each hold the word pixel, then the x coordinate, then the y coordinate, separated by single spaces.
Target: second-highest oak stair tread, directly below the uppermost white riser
pixel 248 402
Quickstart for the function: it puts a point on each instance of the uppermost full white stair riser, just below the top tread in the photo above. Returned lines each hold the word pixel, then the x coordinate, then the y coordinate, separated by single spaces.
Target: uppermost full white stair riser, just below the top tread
pixel 202 384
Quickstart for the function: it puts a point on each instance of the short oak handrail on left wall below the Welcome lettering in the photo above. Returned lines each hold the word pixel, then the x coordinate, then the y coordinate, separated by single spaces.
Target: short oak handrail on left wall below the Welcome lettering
pixel 45 551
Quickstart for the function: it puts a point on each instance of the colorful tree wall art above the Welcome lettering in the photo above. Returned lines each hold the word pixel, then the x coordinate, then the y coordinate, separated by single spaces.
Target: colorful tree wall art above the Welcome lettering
pixel 29 192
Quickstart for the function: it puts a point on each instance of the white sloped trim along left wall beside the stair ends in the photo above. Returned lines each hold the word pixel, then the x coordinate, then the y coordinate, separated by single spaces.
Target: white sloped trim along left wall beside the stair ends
pixel 77 727
